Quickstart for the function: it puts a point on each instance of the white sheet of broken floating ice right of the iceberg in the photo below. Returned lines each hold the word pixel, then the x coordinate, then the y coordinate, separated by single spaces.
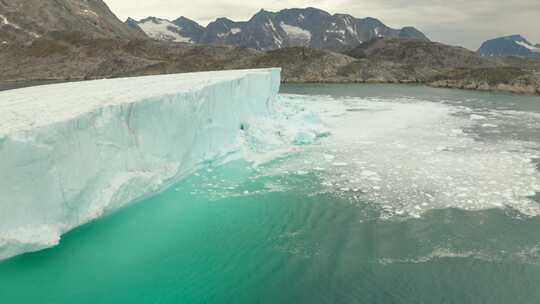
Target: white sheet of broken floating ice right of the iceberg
pixel 411 156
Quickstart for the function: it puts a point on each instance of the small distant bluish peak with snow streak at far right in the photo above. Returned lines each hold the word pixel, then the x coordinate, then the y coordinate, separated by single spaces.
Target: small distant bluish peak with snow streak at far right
pixel 515 45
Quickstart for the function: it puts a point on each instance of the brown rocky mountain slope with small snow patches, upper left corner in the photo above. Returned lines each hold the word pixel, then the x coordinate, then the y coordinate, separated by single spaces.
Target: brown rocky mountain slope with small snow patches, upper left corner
pixel 26 20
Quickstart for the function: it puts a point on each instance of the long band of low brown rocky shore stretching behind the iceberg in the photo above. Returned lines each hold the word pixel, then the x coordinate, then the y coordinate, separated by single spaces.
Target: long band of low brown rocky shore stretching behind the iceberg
pixel 394 61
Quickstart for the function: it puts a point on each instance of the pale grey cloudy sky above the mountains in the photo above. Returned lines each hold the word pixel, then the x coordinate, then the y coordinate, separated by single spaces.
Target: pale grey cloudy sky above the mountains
pixel 458 22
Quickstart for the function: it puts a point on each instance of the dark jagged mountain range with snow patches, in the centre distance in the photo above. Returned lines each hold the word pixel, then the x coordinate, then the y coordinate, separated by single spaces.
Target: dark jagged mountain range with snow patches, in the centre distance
pixel 308 27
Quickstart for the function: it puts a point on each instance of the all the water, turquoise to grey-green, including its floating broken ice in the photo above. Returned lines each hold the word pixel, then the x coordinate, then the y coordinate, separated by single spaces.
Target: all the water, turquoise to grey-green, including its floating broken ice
pixel 415 195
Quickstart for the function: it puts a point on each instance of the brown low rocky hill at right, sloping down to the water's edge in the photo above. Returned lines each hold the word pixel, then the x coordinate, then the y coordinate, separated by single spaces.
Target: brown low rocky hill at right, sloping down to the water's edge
pixel 439 65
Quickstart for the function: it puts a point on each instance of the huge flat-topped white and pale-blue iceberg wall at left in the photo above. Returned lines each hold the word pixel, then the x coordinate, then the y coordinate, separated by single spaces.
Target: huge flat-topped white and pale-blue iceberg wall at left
pixel 71 152
